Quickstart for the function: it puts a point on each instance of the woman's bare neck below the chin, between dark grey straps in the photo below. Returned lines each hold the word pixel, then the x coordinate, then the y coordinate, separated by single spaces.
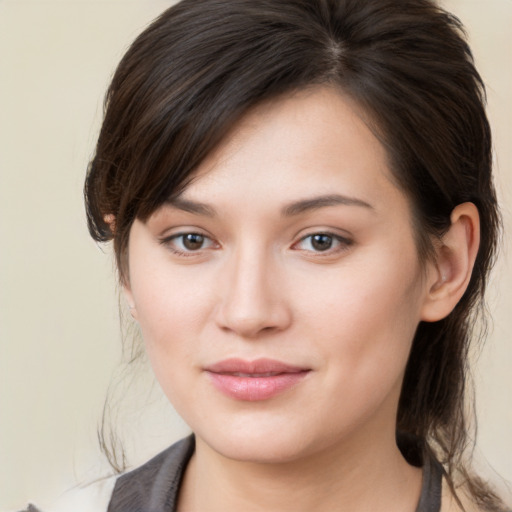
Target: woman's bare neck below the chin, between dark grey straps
pixel 356 475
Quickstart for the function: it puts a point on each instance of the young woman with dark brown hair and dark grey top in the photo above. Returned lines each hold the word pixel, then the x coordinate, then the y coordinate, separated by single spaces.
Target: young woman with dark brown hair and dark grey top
pixel 300 199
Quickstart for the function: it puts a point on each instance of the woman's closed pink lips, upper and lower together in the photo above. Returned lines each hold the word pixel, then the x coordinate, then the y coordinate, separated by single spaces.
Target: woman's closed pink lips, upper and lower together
pixel 254 380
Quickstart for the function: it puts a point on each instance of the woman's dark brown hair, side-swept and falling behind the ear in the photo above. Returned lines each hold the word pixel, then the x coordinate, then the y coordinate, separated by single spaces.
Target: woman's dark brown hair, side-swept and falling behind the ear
pixel 202 64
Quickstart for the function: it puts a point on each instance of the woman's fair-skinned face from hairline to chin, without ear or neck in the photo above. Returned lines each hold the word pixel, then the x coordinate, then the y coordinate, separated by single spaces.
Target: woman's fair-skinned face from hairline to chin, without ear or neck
pixel 279 294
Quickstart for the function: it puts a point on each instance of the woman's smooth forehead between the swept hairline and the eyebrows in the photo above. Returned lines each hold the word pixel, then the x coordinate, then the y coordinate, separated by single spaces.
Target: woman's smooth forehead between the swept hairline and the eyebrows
pixel 313 142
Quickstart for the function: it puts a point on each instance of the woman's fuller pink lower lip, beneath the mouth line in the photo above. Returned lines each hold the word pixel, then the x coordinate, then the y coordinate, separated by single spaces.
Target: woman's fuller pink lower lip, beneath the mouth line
pixel 252 389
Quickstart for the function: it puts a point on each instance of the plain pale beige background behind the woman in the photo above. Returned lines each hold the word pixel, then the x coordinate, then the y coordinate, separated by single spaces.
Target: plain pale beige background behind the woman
pixel 59 334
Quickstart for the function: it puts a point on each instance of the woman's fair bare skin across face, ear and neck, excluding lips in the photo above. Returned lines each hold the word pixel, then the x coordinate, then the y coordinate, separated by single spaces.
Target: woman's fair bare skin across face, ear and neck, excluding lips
pixel 256 286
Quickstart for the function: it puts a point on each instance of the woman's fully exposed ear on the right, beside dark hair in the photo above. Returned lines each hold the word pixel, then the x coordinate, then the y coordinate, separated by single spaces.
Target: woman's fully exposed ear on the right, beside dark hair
pixel 449 276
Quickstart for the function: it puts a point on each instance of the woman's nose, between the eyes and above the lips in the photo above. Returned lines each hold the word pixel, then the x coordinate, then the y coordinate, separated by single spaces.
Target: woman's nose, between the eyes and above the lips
pixel 252 303
